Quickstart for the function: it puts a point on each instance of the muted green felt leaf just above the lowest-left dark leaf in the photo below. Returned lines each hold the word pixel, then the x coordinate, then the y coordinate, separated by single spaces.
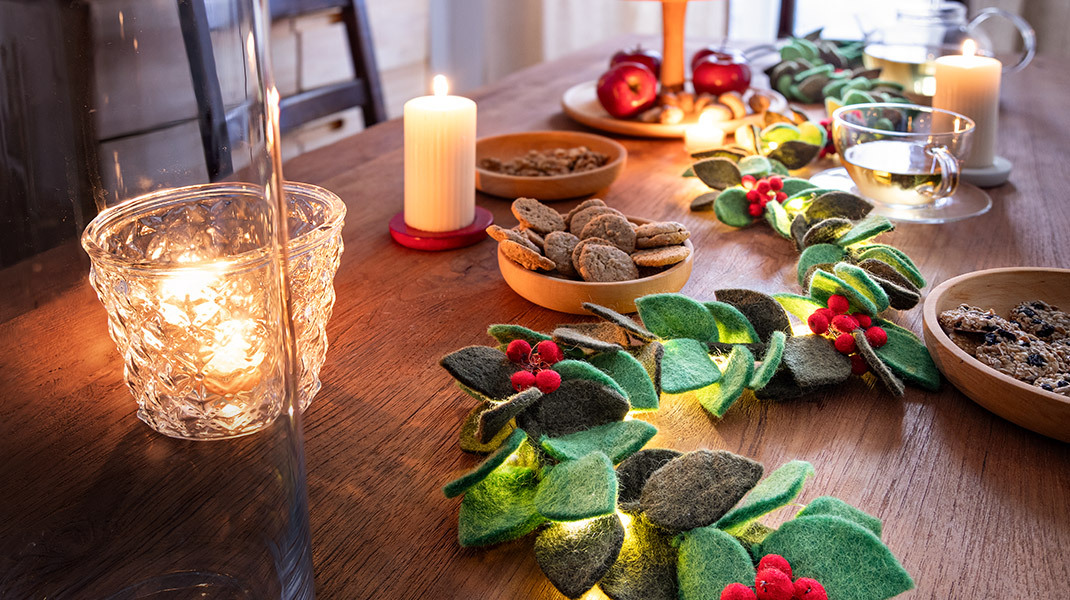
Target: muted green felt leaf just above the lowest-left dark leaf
pixel 578 489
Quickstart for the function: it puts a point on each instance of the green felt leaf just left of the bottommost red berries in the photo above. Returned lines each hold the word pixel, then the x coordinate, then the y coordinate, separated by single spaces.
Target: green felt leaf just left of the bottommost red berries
pixel 711 560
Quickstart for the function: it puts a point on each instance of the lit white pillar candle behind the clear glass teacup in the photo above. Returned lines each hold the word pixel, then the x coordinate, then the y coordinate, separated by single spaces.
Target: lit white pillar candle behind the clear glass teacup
pixel 970 85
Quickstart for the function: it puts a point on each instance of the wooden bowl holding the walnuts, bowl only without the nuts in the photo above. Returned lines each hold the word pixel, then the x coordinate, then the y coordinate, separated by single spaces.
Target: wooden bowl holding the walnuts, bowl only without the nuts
pixel 555 188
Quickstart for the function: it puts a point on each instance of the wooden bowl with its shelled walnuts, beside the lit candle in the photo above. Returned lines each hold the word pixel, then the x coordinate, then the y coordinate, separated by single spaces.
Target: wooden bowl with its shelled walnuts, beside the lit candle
pixel 547 165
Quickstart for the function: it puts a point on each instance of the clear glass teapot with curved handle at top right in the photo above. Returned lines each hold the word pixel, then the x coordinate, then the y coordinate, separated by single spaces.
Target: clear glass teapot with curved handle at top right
pixel 924 32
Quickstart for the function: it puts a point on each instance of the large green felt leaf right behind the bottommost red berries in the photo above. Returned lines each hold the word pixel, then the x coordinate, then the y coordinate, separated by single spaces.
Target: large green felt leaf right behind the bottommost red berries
pixel 849 561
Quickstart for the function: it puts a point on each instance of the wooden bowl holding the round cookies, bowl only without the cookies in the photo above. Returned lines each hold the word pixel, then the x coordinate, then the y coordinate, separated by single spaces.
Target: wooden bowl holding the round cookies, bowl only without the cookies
pixel 569 296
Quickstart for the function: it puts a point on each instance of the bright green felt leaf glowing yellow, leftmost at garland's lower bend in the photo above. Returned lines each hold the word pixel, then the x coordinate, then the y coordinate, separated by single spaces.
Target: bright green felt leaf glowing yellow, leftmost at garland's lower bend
pixel 500 509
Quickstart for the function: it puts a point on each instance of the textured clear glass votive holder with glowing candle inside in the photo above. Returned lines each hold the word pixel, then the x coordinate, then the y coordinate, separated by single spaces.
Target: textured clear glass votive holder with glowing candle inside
pixel 188 287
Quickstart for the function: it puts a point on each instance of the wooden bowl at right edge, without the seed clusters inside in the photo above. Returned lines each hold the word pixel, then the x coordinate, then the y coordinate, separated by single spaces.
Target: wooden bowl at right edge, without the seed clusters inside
pixel 1000 289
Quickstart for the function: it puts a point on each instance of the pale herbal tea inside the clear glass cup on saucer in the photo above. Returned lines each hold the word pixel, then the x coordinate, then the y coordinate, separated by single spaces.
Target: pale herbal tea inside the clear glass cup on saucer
pixel 894 173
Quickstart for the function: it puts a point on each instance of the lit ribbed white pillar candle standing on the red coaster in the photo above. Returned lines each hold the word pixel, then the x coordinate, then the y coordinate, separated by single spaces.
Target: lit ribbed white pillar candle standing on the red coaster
pixel 439 161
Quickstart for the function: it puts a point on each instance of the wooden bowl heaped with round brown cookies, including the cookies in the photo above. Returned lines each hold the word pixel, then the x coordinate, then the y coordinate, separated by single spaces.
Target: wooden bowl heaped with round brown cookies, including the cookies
pixel 592 254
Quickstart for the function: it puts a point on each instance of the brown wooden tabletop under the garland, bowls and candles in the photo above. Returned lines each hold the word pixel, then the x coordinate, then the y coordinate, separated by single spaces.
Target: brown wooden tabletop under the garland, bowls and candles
pixel 973 505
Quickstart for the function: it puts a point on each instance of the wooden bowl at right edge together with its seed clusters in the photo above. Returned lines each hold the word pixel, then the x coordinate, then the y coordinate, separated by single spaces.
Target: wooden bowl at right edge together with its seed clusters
pixel 1002 339
